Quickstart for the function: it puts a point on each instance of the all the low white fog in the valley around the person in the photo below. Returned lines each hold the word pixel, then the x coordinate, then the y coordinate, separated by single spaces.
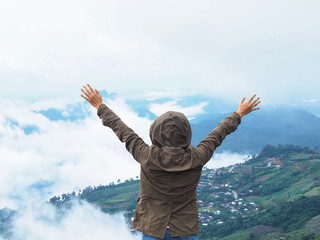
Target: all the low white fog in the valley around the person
pixel 63 156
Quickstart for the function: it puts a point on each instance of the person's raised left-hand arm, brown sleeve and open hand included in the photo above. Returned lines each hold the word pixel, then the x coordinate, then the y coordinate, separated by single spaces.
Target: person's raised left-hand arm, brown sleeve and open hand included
pixel 134 144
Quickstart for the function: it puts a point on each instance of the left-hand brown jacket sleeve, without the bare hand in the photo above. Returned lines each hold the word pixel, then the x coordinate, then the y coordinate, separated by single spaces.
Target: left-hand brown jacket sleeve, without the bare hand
pixel 134 144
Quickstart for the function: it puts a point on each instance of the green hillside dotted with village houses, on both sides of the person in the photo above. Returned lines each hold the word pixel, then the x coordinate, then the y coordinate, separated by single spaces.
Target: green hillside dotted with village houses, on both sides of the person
pixel 275 195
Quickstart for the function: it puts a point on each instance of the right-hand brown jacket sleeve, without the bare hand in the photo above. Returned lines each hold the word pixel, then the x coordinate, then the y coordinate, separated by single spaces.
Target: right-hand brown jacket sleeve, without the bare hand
pixel 208 145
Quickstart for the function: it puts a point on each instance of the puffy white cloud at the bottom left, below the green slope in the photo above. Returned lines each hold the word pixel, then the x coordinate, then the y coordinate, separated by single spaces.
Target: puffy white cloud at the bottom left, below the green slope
pixel 82 221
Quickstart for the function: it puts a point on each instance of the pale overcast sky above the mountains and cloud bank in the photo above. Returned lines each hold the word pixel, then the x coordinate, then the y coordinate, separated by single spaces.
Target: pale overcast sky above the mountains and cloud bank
pixel 140 48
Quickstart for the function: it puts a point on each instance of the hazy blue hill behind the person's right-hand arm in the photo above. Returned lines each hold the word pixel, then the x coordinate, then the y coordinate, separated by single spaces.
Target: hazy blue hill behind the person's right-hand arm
pixel 279 125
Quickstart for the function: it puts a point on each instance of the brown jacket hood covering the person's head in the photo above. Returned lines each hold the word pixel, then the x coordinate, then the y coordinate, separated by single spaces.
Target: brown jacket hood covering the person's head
pixel 171 129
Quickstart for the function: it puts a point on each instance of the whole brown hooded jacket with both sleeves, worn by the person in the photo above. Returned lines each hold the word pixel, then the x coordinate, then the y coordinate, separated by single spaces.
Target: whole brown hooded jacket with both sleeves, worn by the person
pixel 170 170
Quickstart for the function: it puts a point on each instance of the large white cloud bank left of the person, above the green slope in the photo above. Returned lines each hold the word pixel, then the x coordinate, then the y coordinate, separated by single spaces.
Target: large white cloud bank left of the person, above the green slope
pixel 62 155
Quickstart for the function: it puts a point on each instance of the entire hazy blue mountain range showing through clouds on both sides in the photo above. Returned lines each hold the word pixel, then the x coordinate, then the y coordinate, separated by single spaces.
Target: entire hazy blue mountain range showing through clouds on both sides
pixel 271 124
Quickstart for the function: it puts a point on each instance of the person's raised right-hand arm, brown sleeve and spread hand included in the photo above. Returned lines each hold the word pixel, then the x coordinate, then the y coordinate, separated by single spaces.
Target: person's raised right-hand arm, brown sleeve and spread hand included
pixel 208 145
